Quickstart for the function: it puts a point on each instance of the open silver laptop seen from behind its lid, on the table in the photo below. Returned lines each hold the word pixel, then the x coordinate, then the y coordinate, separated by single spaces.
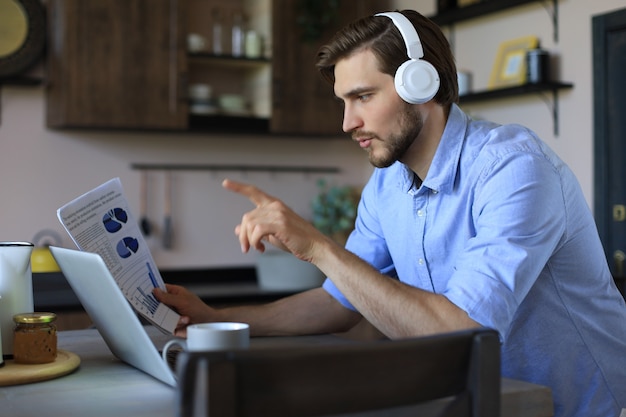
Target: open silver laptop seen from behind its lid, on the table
pixel 111 313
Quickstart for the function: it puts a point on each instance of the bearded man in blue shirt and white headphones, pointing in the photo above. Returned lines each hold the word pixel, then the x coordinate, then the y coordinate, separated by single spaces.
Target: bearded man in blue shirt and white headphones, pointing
pixel 463 224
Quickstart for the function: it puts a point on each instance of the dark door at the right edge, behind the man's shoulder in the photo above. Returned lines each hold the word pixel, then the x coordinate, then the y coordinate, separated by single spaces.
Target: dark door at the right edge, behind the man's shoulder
pixel 609 82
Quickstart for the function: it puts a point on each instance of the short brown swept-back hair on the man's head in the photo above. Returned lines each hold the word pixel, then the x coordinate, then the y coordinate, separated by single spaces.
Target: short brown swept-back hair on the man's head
pixel 382 37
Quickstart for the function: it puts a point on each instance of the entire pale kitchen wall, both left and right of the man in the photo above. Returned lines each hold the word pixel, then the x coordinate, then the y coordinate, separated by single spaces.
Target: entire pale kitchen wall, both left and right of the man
pixel 41 169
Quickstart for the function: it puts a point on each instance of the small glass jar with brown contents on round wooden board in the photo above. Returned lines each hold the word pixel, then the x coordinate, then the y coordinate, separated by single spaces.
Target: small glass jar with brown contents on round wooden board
pixel 35 338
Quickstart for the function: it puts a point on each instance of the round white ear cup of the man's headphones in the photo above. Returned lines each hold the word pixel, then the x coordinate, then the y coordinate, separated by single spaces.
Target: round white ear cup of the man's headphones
pixel 416 81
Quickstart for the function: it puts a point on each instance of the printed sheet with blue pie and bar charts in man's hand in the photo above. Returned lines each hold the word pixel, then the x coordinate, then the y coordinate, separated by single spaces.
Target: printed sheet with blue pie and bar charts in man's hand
pixel 100 221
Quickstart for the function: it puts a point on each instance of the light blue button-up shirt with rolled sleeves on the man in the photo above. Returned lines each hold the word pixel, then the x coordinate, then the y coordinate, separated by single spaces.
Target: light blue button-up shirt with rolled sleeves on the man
pixel 501 228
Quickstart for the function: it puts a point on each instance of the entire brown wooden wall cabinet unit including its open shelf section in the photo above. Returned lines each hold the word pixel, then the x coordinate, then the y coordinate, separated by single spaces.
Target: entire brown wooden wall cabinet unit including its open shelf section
pixel 118 64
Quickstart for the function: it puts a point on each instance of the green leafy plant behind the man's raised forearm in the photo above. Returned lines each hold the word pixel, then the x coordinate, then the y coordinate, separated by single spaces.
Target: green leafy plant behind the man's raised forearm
pixel 334 210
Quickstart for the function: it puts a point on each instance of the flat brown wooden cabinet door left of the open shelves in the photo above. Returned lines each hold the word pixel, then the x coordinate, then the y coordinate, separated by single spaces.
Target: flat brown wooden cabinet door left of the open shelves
pixel 116 64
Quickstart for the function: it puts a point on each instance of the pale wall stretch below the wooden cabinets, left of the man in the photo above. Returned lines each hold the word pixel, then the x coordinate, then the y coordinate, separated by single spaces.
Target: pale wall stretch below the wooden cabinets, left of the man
pixel 41 169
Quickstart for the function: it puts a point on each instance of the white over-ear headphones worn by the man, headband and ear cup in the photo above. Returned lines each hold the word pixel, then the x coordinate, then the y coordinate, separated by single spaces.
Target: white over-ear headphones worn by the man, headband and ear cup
pixel 416 80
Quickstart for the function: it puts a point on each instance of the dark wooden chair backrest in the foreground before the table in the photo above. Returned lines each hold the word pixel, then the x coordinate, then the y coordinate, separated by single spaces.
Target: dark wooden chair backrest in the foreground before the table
pixel 320 380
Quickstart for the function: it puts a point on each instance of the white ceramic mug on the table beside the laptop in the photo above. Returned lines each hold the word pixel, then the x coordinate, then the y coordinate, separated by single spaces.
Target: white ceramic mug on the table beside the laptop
pixel 212 336
